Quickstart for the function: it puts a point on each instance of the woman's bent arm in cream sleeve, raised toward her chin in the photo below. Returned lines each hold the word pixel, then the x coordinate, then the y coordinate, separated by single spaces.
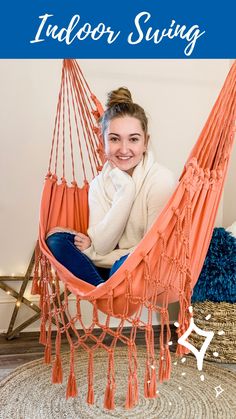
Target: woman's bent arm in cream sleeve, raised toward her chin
pixel 106 227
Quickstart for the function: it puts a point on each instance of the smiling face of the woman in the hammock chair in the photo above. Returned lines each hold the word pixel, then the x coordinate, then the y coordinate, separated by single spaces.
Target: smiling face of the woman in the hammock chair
pixel 125 143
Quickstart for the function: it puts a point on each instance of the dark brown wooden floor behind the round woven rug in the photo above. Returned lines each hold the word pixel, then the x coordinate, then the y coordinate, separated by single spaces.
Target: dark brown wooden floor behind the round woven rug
pixel 26 348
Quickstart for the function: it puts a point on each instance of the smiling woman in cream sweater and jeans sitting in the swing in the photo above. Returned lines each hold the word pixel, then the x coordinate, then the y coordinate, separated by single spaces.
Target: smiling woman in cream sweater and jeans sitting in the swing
pixel 124 199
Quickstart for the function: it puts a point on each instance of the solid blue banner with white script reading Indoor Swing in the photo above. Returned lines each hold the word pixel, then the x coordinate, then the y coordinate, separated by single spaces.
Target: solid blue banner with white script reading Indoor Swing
pixel 121 29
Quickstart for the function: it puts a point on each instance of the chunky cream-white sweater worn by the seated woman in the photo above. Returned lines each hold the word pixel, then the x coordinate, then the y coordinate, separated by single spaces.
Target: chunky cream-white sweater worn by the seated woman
pixel 123 208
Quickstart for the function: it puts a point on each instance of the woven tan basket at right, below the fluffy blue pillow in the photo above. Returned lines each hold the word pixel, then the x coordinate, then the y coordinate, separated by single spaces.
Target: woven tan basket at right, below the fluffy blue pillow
pixel 223 318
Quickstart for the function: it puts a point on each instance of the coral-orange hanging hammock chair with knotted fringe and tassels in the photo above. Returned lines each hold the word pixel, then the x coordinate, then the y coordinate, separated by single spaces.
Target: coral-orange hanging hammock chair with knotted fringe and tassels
pixel 163 268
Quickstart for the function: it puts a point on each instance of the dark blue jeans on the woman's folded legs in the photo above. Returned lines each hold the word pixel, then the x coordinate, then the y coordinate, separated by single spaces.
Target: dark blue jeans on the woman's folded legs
pixel 63 248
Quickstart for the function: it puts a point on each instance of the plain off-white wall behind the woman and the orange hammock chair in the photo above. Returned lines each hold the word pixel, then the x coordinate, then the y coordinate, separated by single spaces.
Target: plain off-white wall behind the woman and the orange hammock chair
pixel 177 95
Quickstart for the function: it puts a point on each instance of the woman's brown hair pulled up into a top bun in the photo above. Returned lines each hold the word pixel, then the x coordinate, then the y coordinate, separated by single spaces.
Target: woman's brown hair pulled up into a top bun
pixel 119 104
